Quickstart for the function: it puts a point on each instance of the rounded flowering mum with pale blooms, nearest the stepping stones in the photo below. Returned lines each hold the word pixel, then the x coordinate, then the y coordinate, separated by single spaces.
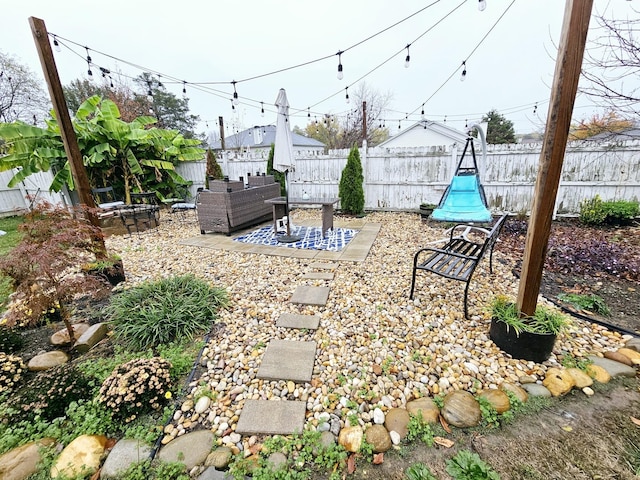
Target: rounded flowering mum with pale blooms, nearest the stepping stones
pixel 137 387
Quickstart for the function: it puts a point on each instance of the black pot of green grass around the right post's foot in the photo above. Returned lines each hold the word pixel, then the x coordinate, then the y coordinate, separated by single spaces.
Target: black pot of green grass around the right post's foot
pixel 523 337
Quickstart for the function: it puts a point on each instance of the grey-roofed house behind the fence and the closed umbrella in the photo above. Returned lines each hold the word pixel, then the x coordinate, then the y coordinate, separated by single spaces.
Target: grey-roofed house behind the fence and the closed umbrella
pixel 259 139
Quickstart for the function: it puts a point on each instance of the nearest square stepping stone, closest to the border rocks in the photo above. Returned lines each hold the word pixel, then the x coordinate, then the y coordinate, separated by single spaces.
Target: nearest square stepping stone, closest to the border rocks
pixel 271 417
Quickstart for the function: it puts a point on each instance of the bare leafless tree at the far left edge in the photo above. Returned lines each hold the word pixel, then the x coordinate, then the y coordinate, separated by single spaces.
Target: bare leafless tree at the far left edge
pixel 21 95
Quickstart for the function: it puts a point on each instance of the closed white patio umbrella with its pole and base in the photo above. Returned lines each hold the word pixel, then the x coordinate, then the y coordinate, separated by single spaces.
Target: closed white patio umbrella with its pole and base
pixel 283 159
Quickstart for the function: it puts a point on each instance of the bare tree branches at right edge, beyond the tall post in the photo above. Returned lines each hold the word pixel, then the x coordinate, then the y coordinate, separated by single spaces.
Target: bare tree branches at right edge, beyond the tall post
pixel 611 64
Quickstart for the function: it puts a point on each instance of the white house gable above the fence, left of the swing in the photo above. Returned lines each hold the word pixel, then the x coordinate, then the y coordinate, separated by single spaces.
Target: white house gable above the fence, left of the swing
pixel 426 134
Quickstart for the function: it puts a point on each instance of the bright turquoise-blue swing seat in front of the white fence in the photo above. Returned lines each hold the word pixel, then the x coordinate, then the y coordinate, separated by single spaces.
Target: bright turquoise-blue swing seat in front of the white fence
pixel 463 201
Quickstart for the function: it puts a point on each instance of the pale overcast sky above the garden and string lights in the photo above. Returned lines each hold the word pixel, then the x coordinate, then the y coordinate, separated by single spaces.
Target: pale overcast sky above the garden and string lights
pixel 222 41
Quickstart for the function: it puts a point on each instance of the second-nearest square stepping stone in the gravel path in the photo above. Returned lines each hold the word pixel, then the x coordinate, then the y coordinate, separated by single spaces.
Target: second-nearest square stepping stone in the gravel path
pixel 288 360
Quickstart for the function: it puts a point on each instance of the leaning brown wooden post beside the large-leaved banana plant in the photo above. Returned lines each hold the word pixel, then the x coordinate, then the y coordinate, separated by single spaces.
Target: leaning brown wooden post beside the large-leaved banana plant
pixel 81 180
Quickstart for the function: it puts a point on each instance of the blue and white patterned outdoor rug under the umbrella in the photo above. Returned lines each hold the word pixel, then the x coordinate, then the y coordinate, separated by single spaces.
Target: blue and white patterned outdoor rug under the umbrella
pixel 310 238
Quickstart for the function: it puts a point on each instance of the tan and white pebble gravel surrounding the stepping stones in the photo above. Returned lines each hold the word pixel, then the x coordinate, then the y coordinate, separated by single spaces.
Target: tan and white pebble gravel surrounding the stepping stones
pixel 375 346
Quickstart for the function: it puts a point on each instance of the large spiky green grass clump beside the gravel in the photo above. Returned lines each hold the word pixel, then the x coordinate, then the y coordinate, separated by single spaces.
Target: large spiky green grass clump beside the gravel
pixel 174 309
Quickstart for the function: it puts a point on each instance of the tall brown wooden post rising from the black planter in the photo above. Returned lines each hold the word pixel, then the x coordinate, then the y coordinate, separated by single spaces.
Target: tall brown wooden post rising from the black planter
pixel 563 94
